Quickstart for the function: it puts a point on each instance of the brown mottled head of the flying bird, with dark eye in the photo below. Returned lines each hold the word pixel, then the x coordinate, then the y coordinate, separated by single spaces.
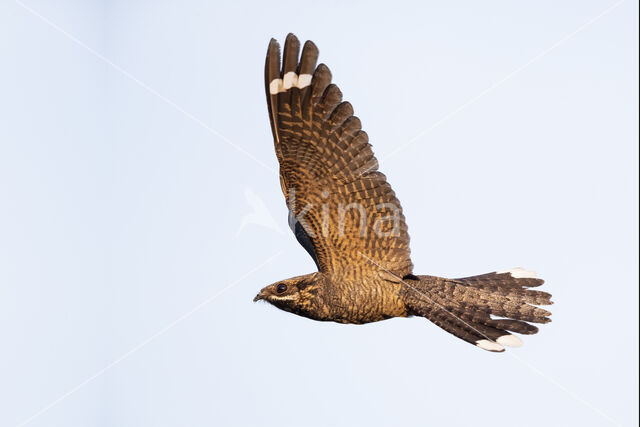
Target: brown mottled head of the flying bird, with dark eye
pixel 300 295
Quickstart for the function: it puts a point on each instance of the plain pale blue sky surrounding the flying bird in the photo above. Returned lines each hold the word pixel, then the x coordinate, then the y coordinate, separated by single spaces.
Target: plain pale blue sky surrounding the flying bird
pixel 140 211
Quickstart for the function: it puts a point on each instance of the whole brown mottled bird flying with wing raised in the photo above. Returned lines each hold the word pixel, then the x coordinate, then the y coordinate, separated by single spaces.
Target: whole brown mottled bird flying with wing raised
pixel 344 213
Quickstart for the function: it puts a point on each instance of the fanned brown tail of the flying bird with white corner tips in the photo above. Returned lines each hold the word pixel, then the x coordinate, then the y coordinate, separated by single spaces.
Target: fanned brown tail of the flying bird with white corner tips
pixel 481 309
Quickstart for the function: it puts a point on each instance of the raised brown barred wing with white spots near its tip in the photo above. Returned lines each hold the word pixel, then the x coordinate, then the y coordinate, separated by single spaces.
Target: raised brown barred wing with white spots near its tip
pixel 341 209
